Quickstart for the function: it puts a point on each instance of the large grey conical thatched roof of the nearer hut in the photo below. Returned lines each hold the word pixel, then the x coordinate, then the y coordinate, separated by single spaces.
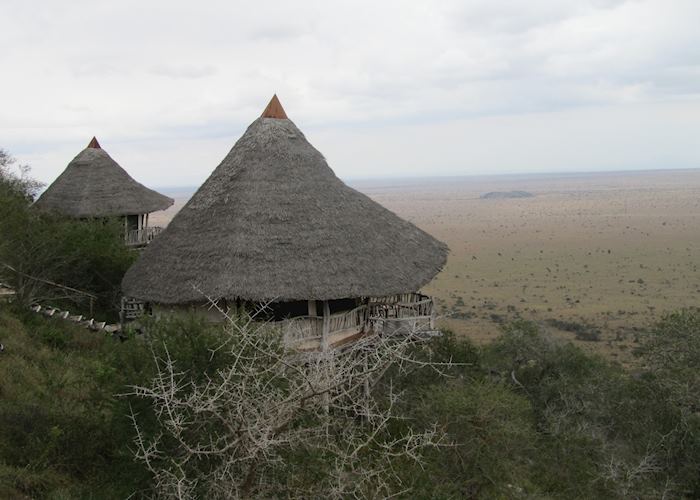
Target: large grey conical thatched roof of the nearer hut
pixel 273 222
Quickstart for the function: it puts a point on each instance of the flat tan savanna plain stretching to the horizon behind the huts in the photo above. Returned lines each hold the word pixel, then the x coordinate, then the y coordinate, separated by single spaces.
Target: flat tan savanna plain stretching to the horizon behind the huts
pixel 591 257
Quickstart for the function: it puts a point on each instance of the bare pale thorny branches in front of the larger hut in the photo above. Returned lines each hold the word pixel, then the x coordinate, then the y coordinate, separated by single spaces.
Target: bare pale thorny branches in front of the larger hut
pixel 233 433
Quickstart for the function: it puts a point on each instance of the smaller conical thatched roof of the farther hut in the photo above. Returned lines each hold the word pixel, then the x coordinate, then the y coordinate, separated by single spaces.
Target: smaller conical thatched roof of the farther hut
pixel 94 185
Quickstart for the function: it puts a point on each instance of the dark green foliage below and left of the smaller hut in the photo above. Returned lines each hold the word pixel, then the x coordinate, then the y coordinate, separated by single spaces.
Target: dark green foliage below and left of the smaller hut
pixel 39 248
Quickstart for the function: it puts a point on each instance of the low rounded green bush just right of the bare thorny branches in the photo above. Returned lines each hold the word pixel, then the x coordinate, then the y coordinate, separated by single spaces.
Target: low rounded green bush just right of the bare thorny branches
pixel 491 442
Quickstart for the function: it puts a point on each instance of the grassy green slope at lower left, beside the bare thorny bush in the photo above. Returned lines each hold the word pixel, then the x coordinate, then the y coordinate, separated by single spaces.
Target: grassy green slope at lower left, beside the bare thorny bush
pixel 63 433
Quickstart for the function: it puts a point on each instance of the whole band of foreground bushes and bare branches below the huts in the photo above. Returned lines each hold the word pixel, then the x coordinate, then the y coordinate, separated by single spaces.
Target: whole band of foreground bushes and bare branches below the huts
pixel 524 417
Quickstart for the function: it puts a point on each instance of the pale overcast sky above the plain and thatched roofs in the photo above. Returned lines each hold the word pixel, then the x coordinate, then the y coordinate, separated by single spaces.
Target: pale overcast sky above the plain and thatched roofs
pixel 390 88
